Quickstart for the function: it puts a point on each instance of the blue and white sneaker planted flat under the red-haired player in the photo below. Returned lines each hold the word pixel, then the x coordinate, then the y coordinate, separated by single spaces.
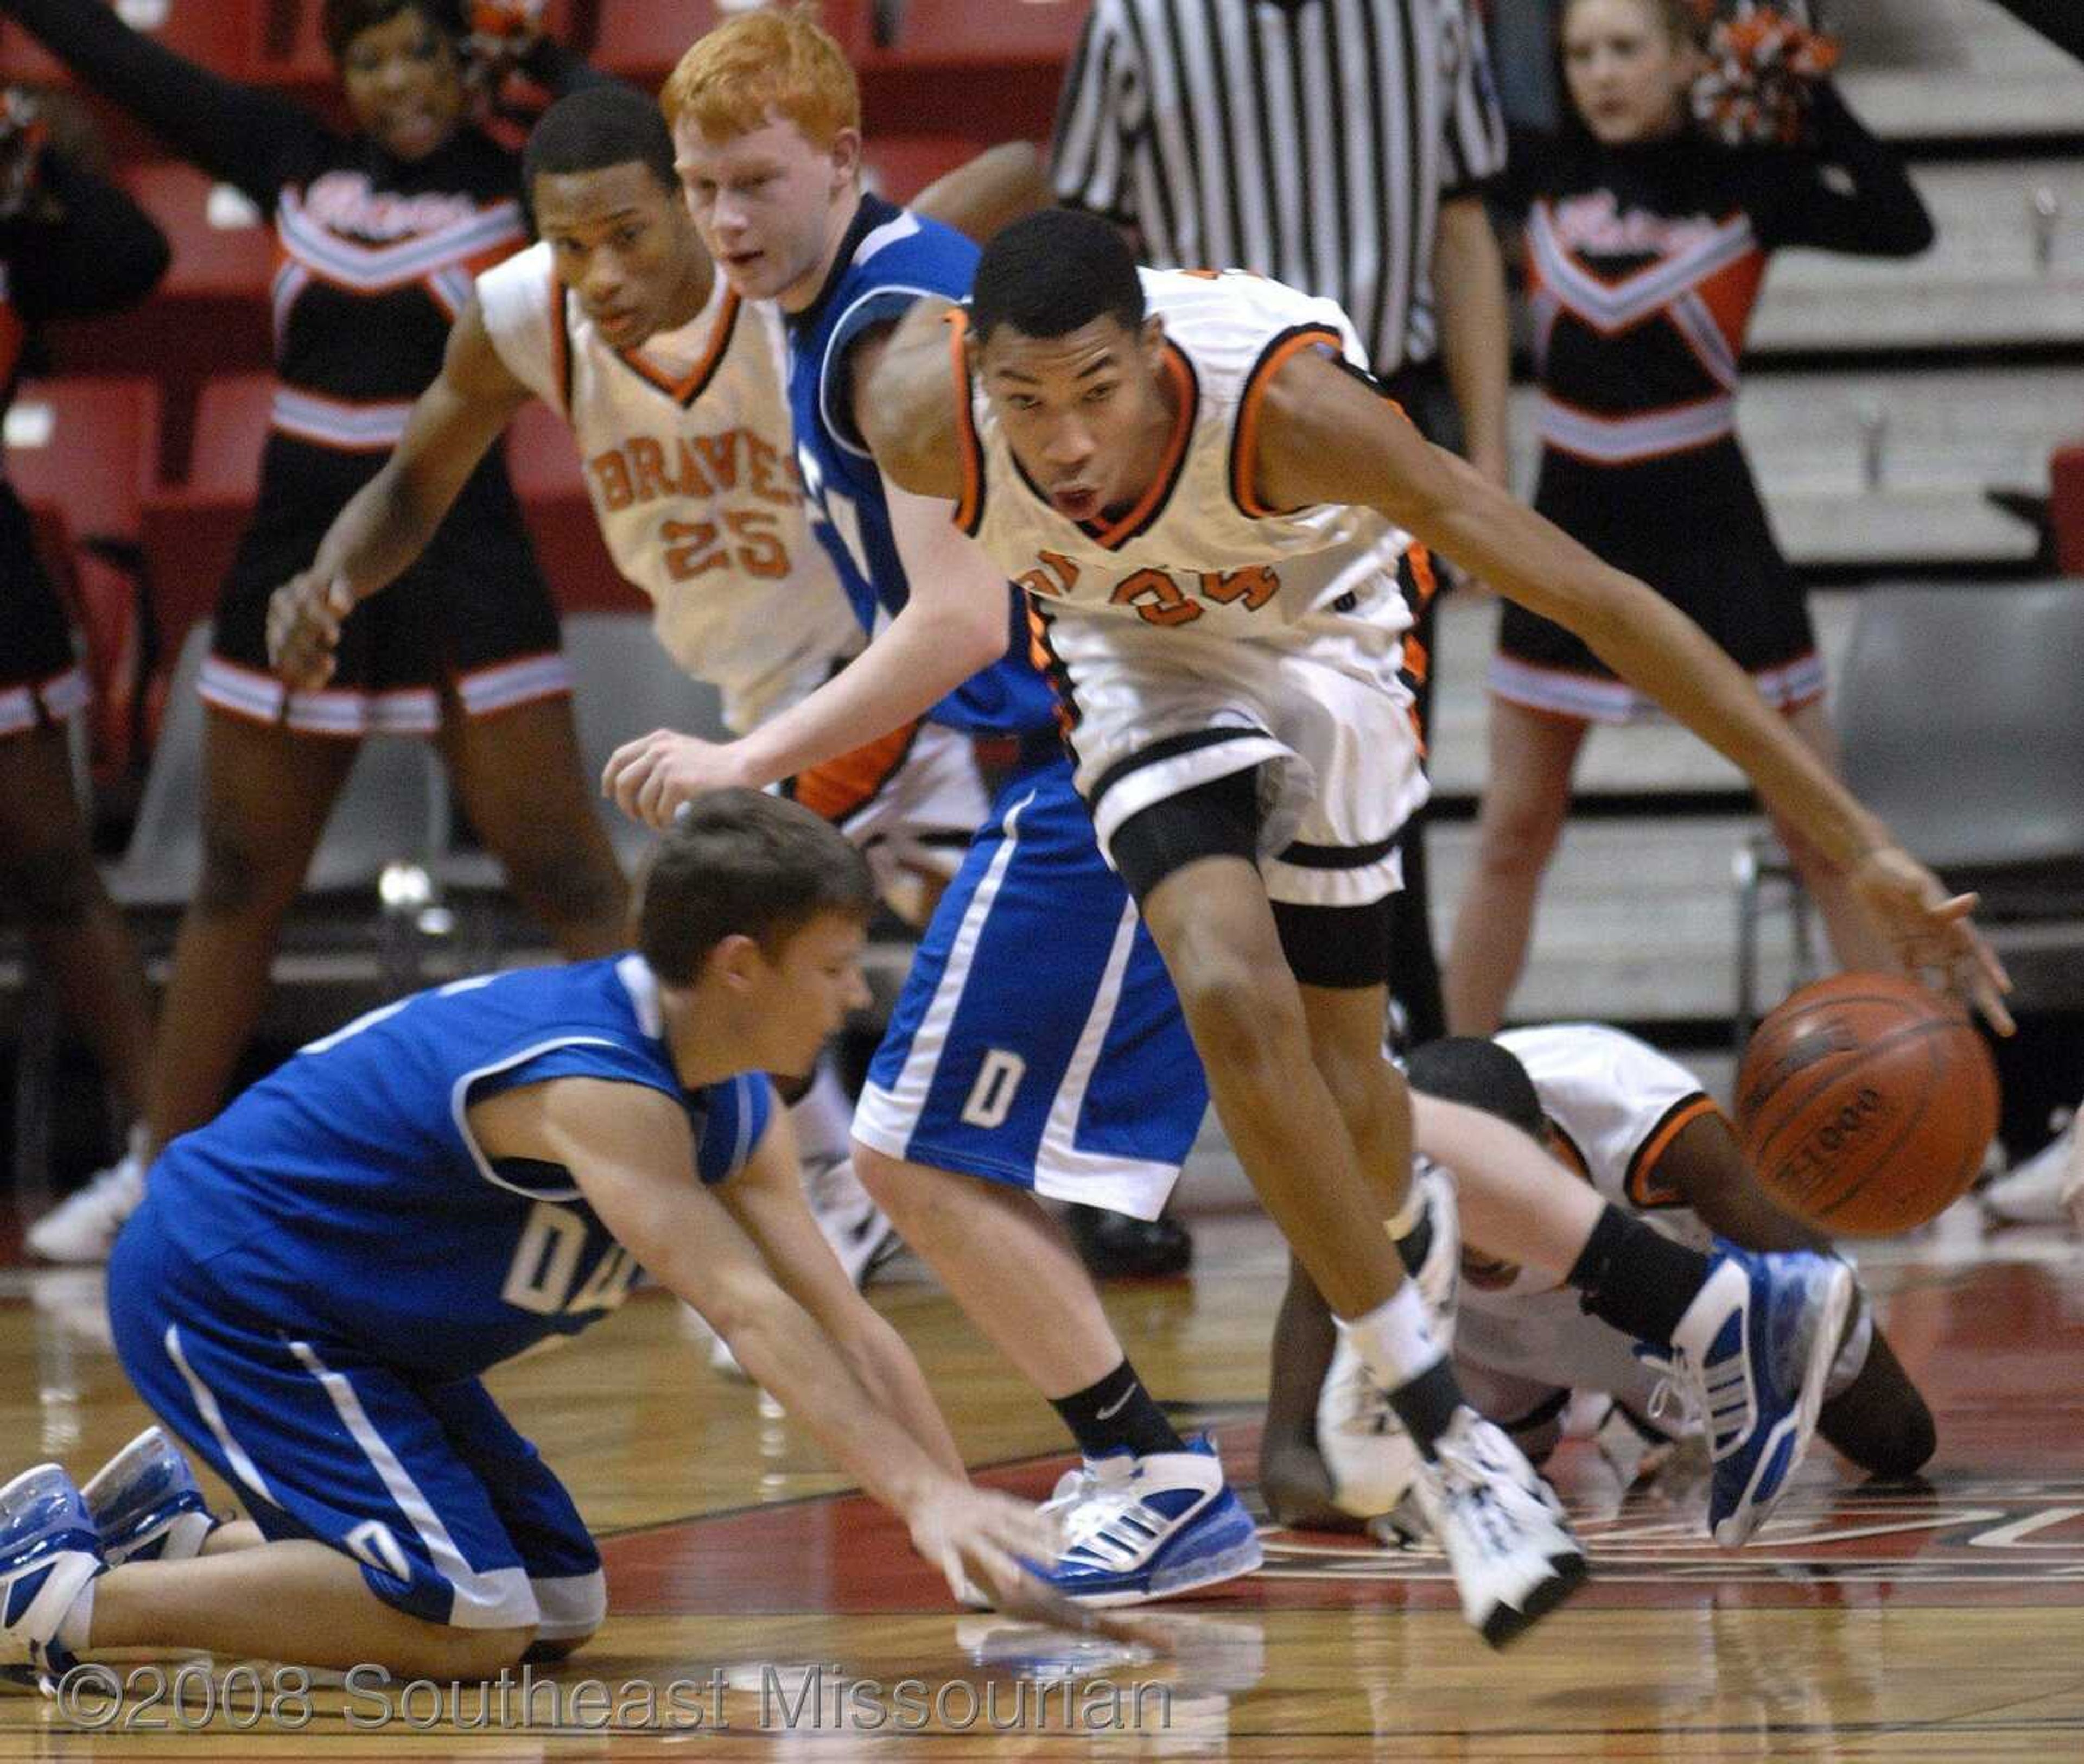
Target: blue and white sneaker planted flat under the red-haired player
pixel 1151 1527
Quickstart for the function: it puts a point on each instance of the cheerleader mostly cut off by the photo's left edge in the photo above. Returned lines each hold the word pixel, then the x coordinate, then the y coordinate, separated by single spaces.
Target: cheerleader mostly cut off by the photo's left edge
pixel 70 245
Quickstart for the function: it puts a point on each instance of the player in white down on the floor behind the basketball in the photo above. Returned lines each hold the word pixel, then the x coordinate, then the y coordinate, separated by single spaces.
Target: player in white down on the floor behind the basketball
pixel 1627 1129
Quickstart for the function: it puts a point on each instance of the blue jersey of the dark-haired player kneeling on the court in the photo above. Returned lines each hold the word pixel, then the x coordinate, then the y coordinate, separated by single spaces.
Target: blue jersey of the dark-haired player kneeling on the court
pixel 345 1190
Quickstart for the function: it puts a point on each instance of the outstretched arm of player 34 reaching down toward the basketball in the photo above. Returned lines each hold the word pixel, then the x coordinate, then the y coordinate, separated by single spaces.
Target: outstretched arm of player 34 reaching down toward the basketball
pixel 1329 437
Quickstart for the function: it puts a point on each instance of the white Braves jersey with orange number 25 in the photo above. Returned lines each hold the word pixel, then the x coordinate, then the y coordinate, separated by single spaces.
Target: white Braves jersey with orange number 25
pixel 691 466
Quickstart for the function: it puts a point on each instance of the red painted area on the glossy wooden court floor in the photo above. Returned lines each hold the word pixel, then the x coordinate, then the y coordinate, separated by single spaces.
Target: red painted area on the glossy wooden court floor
pixel 1998 1350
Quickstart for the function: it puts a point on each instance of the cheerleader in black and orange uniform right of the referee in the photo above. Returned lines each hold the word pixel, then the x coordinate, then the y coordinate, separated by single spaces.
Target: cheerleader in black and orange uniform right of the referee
pixel 1647 245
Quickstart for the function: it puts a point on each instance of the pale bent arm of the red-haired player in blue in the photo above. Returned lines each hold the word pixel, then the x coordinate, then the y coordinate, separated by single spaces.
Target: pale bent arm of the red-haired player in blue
pixel 958 618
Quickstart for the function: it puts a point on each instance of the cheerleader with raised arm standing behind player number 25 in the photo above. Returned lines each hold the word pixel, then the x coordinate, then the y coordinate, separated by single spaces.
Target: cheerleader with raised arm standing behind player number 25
pixel 380 232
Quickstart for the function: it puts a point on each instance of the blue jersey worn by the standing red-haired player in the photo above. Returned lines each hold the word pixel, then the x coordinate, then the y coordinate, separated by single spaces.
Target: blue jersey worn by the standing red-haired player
pixel 889 260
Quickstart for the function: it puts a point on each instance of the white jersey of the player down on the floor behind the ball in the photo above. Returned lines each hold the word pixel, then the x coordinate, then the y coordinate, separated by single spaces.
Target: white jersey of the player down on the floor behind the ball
pixel 1616 1106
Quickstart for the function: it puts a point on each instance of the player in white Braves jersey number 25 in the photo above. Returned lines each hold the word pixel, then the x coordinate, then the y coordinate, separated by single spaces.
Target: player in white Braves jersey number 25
pixel 674 395
